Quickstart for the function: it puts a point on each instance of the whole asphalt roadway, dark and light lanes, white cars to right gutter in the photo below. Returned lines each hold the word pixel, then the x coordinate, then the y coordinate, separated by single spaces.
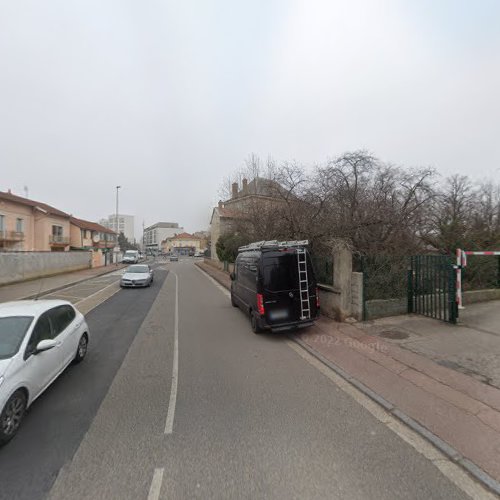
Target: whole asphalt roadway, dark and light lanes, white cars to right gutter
pixel 252 418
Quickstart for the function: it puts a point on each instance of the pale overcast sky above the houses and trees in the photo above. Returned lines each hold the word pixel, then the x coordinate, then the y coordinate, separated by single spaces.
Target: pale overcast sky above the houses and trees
pixel 167 98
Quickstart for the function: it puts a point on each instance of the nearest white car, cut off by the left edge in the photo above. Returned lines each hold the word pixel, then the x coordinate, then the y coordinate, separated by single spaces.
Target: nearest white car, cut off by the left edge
pixel 38 340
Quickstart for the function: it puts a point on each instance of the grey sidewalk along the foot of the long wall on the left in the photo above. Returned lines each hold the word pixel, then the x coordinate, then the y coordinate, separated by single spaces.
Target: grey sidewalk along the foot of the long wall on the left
pixel 32 288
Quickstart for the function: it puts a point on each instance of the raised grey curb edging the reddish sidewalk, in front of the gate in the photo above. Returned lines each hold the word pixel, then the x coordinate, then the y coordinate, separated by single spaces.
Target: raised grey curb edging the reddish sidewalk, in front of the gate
pixel 476 472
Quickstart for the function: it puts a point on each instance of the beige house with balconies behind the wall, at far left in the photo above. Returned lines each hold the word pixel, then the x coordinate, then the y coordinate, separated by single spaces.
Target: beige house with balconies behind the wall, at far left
pixel 28 225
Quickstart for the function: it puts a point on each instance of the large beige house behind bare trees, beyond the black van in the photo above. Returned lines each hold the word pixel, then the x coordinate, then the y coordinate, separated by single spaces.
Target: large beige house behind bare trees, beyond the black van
pixel 260 192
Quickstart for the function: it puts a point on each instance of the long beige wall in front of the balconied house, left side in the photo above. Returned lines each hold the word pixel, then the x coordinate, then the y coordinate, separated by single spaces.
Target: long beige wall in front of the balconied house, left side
pixel 22 266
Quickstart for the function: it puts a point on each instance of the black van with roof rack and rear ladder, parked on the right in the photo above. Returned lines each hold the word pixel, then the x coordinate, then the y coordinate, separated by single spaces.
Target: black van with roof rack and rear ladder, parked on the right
pixel 274 283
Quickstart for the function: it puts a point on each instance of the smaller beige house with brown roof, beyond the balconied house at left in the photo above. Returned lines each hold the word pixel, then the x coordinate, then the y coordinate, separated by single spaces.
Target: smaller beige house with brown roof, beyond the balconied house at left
pixel 86 235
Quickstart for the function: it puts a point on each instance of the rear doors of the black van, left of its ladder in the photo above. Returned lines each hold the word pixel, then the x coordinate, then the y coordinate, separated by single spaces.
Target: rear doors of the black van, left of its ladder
pixel 280 285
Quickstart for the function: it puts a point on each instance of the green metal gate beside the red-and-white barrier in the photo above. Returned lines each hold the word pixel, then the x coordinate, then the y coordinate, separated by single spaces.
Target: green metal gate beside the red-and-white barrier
pixel 432 287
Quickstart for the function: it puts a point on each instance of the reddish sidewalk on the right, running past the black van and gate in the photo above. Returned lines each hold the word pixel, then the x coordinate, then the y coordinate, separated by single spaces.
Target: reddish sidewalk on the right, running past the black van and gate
pixel 457 413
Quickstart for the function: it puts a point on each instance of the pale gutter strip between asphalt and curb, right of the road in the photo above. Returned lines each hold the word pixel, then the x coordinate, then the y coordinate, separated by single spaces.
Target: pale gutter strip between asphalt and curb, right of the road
pixel 449 469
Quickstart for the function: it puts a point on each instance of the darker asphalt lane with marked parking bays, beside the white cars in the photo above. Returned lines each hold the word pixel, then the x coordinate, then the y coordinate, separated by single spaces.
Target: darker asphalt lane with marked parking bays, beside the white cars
pixel 58 420
